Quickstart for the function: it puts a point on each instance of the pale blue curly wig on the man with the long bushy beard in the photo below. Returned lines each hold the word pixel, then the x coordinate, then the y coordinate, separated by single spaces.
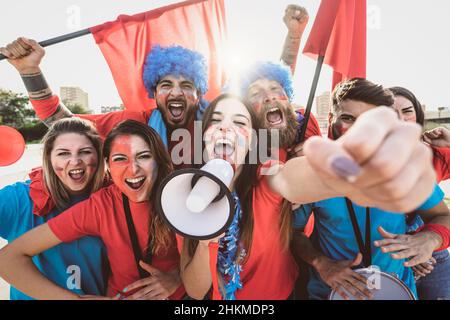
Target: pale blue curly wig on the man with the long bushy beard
pixel 270 70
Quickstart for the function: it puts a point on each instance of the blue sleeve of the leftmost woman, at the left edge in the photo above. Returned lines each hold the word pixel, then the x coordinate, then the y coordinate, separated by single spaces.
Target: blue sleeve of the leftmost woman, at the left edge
pixel 14 201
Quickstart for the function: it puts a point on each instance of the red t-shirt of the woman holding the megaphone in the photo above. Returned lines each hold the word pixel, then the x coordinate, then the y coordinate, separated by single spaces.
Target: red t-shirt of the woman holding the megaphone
pixel 270 271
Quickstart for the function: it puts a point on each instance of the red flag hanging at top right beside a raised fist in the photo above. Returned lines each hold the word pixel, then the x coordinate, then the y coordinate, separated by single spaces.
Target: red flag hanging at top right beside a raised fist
pixel 339 34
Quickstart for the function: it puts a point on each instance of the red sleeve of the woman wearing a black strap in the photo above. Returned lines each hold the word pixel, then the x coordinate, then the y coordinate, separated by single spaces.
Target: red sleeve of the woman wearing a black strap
pixel 83 219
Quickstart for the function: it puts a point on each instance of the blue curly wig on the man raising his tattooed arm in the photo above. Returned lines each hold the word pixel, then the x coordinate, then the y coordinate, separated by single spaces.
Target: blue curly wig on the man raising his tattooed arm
pixel 178 61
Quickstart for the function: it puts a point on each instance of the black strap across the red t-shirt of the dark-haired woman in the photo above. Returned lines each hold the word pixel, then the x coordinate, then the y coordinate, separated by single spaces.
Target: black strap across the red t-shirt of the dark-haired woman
pixel 135 242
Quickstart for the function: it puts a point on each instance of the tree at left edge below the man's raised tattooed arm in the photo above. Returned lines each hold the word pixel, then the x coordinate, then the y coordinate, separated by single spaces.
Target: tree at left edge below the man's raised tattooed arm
pixel 15 111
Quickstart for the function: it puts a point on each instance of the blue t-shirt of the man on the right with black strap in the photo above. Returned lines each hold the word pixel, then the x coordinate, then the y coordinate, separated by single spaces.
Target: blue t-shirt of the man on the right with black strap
pixel 334 236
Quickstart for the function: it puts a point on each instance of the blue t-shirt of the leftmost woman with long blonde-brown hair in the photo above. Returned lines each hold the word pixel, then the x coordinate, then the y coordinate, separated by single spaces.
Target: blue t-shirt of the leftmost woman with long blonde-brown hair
pixel 80 266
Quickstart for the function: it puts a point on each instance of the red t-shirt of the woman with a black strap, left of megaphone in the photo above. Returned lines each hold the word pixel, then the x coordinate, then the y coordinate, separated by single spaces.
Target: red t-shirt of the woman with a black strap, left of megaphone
pixel 103 215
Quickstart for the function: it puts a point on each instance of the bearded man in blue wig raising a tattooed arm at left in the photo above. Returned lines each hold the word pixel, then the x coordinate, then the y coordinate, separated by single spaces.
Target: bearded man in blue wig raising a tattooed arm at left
pixel 174 76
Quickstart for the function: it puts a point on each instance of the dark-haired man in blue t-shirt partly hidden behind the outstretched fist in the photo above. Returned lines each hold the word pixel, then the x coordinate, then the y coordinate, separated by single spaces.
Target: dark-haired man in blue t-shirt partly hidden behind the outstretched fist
pixel 347 235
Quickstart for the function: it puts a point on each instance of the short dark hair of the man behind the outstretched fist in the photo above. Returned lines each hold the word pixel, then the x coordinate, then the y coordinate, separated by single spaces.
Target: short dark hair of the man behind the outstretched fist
pixel 362 90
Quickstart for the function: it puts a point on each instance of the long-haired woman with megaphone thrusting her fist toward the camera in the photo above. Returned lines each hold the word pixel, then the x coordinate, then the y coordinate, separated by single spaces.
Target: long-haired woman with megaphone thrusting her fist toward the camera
pixel 252 260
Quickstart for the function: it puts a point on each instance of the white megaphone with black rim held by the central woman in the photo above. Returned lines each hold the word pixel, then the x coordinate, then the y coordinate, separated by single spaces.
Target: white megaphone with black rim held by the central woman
pixel 197 203
